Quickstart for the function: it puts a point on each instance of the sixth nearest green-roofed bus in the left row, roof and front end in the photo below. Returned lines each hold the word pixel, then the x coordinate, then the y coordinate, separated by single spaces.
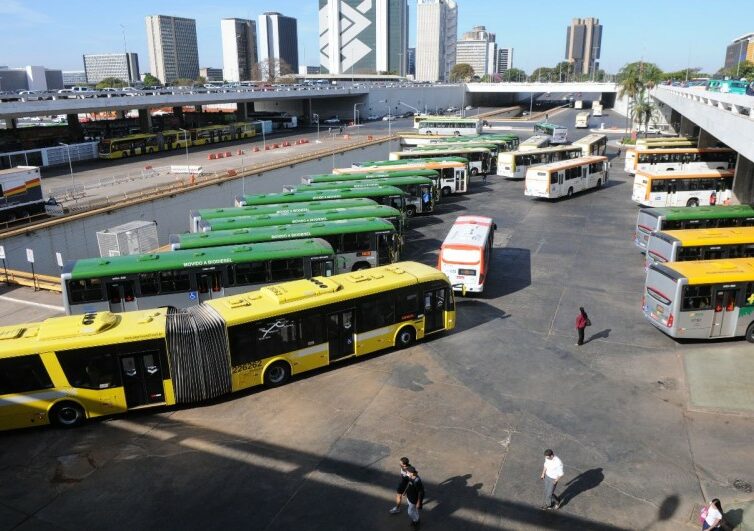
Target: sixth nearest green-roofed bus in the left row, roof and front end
pixel 420 191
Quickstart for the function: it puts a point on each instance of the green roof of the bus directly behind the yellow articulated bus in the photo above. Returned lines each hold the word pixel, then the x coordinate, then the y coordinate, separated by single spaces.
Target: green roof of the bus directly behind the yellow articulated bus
pixel 142 263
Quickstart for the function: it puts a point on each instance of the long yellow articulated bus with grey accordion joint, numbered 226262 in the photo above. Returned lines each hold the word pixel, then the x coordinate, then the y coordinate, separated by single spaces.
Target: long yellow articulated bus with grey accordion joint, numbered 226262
pixel 67 369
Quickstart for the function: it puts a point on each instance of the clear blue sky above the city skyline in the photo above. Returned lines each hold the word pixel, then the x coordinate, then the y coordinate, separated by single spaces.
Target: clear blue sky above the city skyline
pixel 672 33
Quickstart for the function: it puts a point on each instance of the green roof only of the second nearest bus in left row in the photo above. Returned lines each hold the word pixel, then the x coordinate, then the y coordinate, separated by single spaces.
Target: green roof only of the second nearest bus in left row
pixel 194 240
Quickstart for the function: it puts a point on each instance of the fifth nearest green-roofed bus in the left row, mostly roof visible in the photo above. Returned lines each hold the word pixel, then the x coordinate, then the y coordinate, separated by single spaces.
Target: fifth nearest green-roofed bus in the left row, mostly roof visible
pixel 384 195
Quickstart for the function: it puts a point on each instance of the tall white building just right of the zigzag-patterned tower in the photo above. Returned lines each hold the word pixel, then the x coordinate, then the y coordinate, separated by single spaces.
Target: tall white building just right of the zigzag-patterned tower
pixel 436 34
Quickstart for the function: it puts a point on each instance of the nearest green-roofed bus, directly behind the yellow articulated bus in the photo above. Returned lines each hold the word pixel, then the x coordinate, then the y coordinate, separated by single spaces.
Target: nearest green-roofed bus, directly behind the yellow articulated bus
pixel 184 278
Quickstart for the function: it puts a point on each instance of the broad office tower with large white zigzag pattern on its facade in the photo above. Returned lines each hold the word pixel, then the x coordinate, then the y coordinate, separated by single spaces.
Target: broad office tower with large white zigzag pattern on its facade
pixel 363 36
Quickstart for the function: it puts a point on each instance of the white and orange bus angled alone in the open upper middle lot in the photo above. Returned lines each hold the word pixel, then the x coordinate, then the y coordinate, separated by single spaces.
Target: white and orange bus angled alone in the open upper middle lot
pixel 566 178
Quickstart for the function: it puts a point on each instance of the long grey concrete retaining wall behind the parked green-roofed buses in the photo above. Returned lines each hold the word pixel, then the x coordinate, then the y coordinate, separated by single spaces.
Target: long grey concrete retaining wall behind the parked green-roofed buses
pixel 77 238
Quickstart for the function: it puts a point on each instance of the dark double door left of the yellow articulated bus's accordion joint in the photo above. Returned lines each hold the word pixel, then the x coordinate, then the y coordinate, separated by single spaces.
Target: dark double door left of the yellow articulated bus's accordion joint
pixel 142 378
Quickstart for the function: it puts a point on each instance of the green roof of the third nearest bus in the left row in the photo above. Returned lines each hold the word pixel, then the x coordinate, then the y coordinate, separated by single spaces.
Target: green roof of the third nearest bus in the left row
pixel 265 220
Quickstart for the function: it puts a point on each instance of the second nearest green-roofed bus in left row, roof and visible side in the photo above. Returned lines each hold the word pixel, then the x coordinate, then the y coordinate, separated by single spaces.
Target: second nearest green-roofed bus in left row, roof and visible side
pixel 358 243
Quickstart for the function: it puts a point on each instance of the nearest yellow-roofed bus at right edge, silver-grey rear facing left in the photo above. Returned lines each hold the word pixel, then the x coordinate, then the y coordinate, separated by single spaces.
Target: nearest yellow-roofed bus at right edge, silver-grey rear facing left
pixel 707 299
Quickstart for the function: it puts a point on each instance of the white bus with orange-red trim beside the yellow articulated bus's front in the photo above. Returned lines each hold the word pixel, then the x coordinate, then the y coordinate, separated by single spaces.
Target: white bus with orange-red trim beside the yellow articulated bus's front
pixel 466 253
